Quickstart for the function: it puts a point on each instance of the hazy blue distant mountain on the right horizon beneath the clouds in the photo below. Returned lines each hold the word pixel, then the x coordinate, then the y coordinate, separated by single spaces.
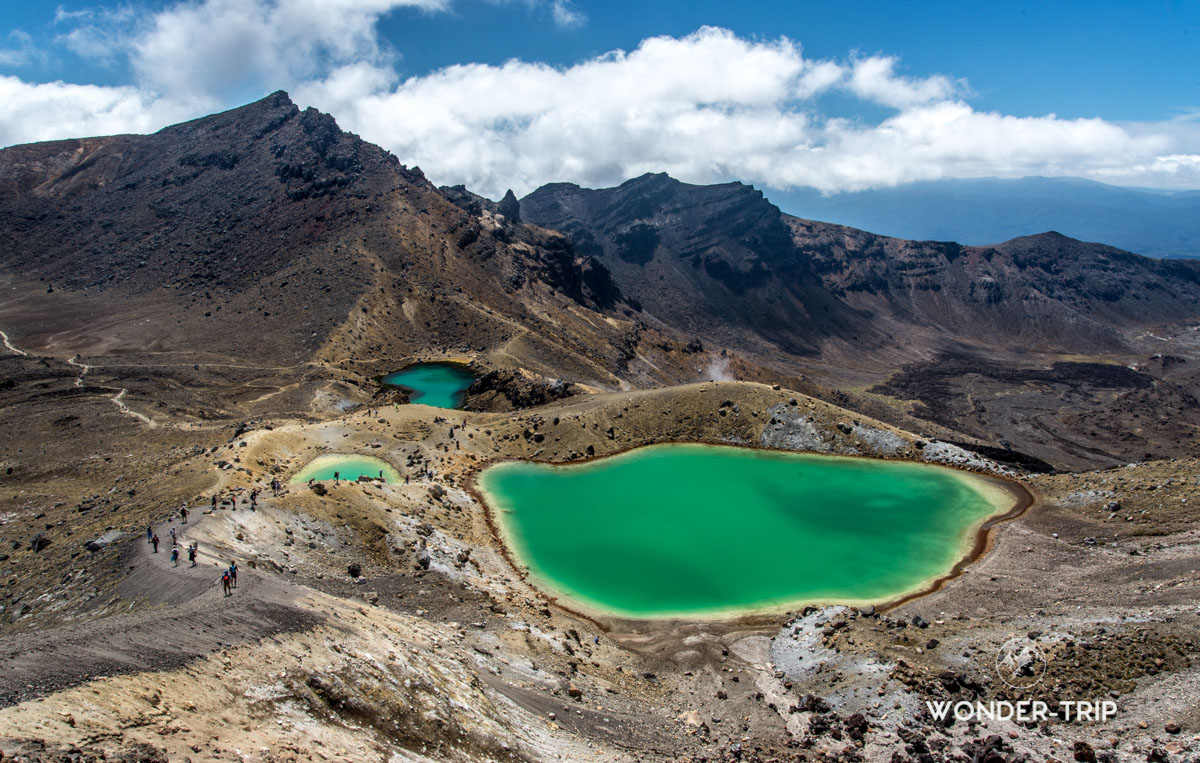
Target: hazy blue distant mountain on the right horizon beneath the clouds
pixel 991 211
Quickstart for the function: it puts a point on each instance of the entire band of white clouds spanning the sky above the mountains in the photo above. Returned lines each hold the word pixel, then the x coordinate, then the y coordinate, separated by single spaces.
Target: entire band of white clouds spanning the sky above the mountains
pixel 706 107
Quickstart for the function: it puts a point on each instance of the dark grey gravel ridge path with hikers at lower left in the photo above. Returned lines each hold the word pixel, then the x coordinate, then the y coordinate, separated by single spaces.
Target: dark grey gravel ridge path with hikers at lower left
pixel 188 618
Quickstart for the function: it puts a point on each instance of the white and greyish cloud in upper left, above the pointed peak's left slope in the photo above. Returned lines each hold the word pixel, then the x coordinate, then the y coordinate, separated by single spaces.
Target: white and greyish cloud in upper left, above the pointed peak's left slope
pixel 194 58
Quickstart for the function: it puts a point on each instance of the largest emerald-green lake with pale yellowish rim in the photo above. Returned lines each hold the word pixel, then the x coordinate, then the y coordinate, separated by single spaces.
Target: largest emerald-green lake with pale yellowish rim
pixel 700 530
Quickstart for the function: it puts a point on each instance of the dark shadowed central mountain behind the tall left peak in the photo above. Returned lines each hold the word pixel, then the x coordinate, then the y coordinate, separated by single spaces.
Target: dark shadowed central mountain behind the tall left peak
pixel 717 261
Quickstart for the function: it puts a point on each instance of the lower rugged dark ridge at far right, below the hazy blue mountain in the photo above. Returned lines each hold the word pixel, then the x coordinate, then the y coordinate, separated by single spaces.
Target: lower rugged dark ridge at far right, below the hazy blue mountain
pixel 1046 290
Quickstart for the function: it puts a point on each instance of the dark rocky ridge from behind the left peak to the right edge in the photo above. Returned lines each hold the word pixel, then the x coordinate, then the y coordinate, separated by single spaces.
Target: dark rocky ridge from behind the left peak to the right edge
pixel 723 260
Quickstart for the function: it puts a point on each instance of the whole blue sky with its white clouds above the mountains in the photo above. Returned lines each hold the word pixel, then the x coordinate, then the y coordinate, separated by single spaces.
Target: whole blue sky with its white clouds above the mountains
pixel 833 95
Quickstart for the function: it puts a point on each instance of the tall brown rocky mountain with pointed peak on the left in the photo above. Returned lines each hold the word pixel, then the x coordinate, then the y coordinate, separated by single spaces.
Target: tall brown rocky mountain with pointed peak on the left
pixel 267 233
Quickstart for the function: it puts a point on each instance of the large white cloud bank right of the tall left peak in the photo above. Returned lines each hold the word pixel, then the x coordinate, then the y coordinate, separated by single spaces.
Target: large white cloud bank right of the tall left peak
pixel 712 107
